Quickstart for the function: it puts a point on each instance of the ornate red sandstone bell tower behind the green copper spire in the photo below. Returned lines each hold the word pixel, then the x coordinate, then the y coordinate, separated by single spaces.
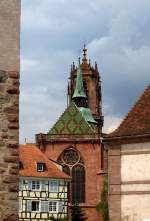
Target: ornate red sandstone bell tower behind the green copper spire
pixel 91 84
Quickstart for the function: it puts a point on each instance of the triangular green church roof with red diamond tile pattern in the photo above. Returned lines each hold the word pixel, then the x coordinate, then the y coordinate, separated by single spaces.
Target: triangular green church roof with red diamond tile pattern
pixel 71 122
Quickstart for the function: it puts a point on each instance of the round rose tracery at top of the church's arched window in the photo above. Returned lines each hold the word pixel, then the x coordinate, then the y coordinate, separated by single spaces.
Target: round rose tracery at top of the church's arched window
pixel 70 157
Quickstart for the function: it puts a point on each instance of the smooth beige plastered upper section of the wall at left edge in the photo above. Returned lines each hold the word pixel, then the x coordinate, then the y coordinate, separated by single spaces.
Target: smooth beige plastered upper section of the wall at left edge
pixel 9 34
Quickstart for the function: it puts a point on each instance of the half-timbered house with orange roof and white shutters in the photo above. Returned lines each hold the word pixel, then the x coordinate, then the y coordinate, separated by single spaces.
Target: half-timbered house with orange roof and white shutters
pixel 42 186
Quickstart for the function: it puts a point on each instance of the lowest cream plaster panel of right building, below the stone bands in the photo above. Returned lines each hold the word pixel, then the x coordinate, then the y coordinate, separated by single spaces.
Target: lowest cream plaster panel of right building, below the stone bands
pixel 135 207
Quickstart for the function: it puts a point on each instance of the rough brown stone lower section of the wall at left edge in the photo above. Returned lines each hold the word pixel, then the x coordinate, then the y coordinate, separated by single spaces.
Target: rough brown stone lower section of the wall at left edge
pixel 9 127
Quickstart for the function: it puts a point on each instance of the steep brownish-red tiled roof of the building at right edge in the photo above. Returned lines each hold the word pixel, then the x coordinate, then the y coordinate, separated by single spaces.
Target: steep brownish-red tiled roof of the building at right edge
pixel 137 121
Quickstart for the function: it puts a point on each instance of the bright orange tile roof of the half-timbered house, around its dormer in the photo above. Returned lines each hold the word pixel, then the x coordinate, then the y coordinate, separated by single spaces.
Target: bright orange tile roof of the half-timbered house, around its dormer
pixel 30 155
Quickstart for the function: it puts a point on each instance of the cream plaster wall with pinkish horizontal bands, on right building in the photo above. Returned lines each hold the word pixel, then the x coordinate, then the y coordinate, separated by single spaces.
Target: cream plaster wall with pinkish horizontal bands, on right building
pixel 135 167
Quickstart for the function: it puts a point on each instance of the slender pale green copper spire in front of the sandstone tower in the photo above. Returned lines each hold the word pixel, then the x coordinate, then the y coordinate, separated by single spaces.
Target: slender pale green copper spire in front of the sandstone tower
pixel 79 89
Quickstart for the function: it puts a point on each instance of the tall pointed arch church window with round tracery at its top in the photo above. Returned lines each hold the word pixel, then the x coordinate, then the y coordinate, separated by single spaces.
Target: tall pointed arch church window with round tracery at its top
pixel 73 165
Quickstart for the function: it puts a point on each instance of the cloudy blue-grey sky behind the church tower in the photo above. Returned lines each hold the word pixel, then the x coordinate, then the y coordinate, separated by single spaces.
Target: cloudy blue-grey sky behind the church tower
pixel 117 35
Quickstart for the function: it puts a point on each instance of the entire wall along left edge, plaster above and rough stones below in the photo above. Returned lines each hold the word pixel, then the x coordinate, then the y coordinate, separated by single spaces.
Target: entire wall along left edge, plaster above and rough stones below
pixel 9 107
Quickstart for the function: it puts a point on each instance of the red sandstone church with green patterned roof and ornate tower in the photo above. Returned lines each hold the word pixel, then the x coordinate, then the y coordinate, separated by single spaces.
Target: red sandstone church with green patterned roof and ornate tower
pixel 74 141
